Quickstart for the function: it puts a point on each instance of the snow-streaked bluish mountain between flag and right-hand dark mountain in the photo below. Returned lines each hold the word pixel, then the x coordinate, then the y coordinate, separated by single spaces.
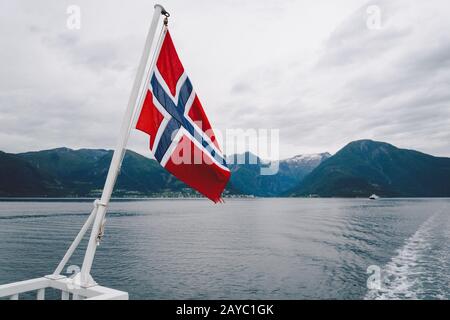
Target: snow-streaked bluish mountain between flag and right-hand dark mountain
pixel 248 179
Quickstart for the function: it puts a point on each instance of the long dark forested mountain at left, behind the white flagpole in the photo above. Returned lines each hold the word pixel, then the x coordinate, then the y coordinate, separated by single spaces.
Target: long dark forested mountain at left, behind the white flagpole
pixel 66 172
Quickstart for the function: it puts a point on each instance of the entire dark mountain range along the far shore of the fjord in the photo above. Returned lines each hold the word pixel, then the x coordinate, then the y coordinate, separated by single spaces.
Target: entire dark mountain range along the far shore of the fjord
pixel 357 170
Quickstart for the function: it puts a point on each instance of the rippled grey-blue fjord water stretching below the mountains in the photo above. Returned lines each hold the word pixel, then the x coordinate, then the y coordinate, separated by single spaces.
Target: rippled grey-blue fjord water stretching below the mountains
pixel 243 249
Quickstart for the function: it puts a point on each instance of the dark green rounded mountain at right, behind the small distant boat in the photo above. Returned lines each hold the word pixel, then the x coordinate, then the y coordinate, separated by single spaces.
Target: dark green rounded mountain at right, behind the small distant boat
pixel 365 167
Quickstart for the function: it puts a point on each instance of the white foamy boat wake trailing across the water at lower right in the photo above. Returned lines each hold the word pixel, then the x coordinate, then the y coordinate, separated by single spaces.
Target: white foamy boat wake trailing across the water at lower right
pixel 419 270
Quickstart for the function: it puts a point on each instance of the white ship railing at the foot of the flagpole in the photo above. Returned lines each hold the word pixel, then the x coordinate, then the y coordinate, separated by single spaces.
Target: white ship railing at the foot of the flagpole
pixel 68 287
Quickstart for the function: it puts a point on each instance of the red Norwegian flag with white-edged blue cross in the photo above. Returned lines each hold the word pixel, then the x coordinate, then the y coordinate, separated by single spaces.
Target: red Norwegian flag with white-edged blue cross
pixel 181 137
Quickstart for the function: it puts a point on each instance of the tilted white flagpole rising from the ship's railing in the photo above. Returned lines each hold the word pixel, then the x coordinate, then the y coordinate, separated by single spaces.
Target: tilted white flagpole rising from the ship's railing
pixel 86 279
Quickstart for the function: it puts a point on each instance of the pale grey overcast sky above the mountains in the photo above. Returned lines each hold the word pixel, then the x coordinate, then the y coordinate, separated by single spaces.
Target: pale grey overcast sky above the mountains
pixel 312 69
